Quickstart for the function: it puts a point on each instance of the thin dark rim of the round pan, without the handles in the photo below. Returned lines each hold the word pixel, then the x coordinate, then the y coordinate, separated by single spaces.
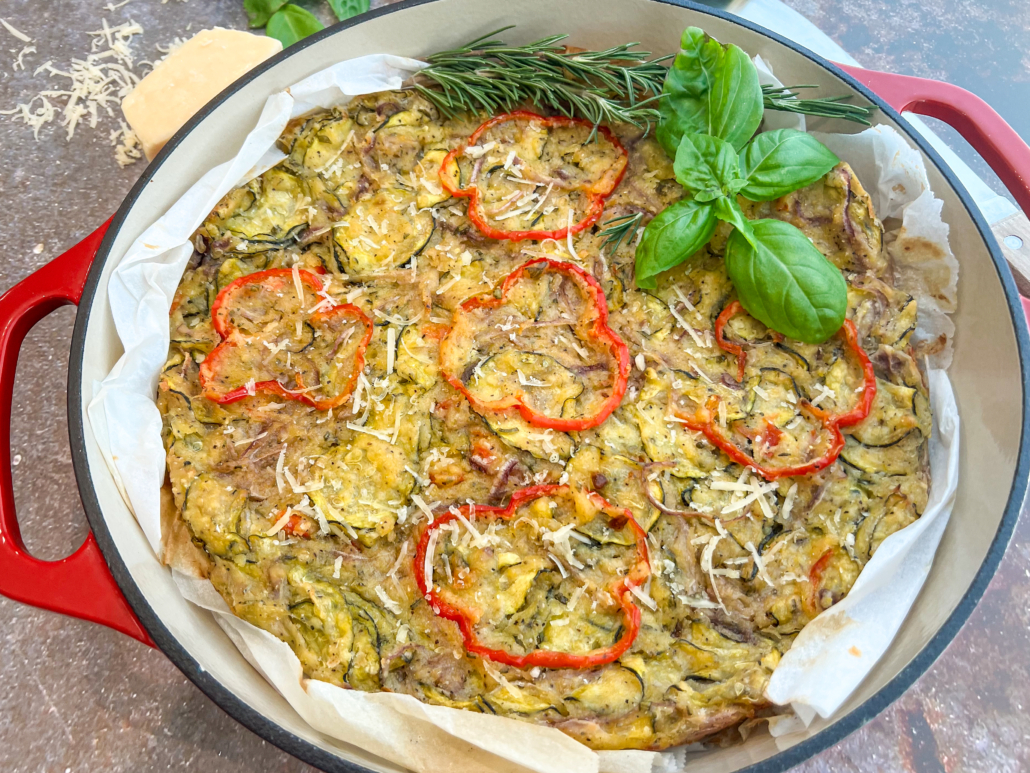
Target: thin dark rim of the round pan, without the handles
pixel 317 756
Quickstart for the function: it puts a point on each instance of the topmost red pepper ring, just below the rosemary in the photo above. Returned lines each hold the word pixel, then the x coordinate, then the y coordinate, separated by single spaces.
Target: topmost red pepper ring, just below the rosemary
pixel 597 193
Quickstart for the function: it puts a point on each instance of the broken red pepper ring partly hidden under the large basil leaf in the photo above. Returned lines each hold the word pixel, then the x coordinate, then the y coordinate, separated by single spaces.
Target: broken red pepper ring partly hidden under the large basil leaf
pixel 704 420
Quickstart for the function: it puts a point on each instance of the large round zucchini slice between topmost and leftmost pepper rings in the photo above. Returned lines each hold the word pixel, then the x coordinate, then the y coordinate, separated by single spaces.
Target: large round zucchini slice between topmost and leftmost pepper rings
pixel 383 233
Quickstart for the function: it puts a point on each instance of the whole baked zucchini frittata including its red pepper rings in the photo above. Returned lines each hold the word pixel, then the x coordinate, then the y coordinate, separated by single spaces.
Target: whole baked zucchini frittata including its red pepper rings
pixel 428 430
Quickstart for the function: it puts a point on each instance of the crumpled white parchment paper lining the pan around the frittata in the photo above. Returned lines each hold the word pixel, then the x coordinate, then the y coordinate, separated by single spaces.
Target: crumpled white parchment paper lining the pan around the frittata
pixel 816 676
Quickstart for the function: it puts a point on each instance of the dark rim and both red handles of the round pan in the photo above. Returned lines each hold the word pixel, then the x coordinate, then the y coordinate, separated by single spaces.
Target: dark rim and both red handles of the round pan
pixel 83 585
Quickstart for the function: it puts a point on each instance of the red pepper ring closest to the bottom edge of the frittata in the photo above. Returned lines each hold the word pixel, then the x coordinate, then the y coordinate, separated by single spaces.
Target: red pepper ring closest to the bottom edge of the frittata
pixel 620 589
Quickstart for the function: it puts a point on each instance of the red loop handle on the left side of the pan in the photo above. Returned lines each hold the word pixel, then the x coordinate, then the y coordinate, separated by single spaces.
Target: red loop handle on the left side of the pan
pixel 80 586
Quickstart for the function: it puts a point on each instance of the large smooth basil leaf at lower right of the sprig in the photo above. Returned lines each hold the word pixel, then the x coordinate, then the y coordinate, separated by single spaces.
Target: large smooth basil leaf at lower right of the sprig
pixel 785 283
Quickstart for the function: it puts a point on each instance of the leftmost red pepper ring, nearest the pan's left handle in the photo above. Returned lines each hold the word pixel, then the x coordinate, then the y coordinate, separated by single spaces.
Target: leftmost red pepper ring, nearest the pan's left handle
pixel 274 282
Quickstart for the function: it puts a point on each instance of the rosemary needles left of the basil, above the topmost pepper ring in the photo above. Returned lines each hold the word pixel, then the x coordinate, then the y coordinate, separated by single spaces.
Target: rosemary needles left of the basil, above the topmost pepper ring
pixel 619 85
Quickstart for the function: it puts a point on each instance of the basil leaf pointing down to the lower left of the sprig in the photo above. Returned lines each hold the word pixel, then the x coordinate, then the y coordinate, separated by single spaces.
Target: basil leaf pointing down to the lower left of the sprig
pixel 672 238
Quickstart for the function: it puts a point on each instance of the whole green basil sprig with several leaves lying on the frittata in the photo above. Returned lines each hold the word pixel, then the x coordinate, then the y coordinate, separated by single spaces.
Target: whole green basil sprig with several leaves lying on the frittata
pixel 712 109
